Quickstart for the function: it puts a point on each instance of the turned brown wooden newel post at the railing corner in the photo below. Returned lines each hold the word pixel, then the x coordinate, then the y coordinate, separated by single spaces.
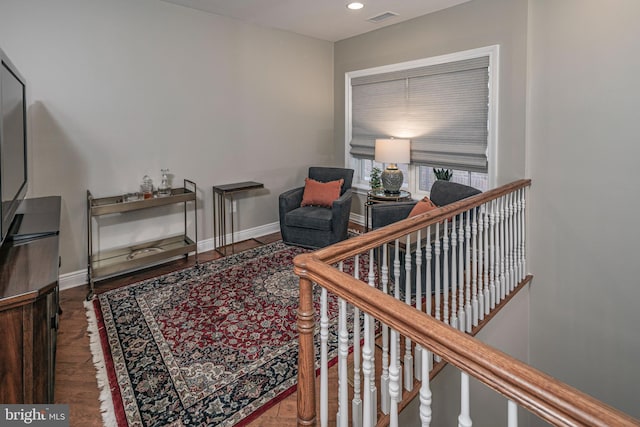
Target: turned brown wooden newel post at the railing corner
pixel 306 356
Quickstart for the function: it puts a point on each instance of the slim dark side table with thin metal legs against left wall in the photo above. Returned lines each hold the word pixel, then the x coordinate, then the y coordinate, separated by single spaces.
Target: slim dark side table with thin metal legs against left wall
pixel 220 193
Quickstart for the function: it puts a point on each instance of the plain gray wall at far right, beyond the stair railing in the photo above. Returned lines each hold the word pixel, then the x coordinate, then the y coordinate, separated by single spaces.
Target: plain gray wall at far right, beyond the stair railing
pixel 582 152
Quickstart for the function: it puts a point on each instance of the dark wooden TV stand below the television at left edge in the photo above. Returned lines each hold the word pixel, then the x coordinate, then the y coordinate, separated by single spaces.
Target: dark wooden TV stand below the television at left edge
pixel 29 307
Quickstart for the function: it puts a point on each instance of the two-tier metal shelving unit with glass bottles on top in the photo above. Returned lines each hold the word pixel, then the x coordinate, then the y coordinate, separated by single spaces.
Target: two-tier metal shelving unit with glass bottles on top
pixel 101 264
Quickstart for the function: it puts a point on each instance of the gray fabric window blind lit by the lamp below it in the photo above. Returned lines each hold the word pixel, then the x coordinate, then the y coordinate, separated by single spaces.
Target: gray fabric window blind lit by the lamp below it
pixel 442 108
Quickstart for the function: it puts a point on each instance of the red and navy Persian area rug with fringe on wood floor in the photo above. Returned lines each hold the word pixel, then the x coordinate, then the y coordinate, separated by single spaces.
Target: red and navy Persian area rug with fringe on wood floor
pixel 214 344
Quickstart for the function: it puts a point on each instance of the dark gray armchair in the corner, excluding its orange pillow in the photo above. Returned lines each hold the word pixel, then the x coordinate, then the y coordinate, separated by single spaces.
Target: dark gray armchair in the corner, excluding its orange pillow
pixel 315 226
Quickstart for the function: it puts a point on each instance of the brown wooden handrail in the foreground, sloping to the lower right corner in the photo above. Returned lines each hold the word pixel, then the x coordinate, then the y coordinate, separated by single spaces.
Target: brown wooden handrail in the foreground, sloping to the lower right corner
pixel 545 396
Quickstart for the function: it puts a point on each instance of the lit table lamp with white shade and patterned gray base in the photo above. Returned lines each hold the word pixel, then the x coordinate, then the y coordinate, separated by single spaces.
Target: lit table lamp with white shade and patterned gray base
pixel 392 151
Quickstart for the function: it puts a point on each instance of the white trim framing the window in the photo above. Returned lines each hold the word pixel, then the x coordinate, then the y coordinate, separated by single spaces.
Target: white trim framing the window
pixel 493 52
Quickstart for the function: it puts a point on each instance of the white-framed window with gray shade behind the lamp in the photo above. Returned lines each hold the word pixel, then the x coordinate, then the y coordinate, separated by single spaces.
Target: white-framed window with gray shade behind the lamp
pixel 445 105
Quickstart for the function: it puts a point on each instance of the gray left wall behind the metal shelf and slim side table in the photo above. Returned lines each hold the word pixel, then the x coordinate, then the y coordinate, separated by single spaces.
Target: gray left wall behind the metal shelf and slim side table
pixel 121 88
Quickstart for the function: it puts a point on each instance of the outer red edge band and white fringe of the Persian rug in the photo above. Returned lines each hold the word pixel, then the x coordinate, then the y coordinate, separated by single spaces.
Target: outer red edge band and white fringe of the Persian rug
pixel 111 407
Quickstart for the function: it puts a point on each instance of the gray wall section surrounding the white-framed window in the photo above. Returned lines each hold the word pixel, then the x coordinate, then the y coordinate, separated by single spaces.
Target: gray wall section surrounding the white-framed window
pixel 470 25
